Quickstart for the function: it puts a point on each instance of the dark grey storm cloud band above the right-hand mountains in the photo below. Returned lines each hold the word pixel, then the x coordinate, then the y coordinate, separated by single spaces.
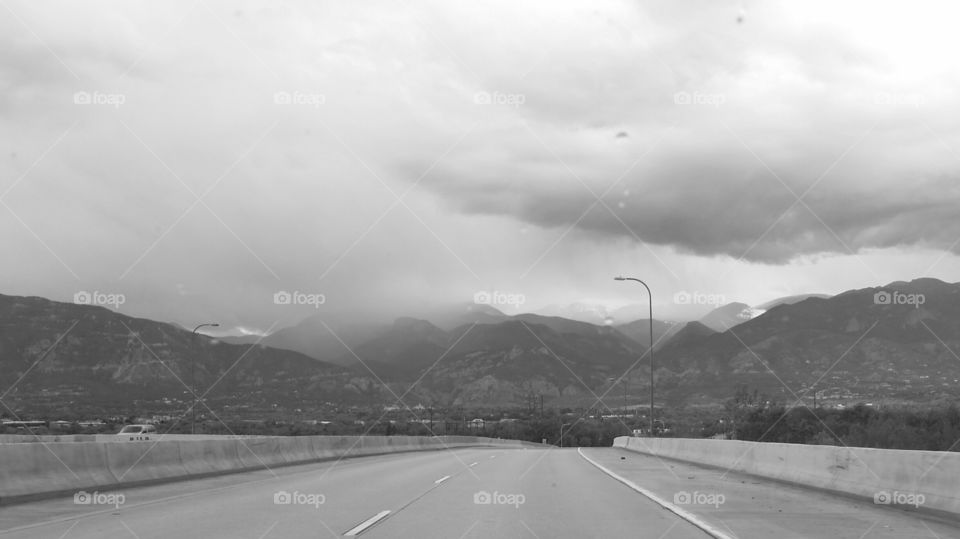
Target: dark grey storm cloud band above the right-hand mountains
pixel 727 204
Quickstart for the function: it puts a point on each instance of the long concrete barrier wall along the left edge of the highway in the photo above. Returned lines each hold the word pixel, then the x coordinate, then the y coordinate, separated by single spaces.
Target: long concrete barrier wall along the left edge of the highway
pixel 37 470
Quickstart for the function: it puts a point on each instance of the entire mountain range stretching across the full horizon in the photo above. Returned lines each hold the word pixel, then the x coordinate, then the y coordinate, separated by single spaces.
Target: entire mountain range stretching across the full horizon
pixel 850 346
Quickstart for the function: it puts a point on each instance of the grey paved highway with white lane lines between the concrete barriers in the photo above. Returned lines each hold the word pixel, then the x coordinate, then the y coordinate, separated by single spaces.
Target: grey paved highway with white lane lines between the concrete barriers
pixel 538 493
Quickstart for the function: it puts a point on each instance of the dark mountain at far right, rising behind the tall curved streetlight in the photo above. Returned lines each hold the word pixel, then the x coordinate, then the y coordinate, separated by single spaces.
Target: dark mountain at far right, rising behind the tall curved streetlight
pixel 850 346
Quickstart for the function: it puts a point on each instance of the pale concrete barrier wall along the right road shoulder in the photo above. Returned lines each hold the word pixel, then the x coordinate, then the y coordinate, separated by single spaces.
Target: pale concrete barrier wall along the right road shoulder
pixel 905 476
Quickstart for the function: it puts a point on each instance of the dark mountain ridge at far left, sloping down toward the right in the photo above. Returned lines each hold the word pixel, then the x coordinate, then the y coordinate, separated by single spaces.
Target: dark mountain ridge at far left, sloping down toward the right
pixel 87 356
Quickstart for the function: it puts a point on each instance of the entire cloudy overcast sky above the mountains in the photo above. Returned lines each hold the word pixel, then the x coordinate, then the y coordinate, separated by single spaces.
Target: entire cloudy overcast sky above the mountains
pixel 396 155
